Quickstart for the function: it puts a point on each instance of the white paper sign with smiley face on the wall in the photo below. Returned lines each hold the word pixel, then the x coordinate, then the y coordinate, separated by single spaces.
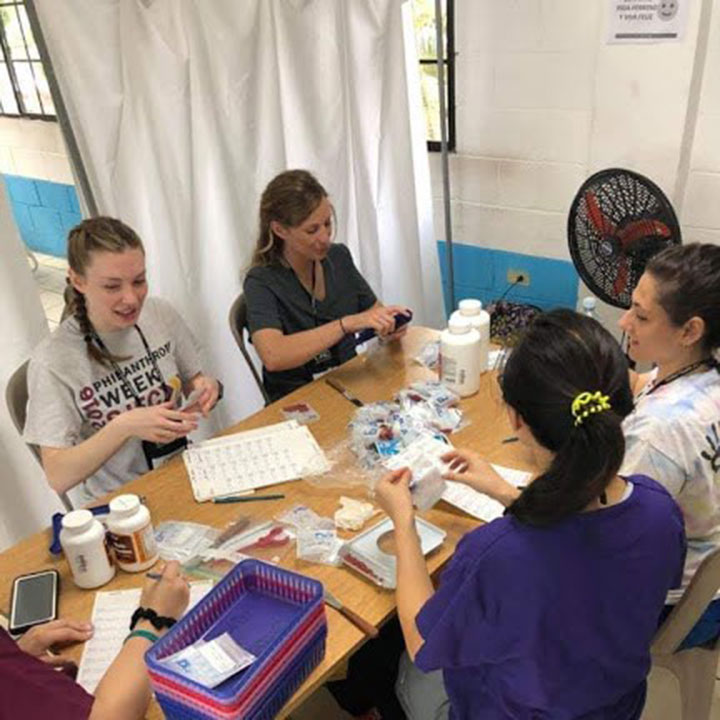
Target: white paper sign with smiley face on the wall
pixel 650 21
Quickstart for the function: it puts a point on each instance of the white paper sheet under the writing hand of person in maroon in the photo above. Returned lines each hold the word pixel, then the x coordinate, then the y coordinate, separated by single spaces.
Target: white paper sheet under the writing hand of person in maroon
pixel 111 621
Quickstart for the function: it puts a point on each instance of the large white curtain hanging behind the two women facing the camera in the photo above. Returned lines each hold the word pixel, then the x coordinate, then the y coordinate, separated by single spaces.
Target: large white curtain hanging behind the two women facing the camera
pixel 185 109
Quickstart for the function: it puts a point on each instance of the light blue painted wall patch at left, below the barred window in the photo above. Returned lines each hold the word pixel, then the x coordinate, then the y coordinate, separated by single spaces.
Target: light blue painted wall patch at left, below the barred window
pixel 44 212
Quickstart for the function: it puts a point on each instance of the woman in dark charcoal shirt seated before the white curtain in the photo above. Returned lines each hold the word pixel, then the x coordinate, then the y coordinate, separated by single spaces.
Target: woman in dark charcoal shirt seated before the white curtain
pixel 305 297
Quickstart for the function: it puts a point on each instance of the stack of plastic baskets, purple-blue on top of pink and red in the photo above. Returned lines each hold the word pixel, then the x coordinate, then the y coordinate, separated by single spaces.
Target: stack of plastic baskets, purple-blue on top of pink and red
pixel 276 614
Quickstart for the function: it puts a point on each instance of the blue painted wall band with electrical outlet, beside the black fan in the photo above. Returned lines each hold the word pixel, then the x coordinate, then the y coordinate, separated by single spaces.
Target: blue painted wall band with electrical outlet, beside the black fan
pixel 482 274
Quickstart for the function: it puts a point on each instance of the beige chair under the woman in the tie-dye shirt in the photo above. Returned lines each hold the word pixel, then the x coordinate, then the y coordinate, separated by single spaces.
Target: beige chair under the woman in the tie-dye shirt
pixel 694 668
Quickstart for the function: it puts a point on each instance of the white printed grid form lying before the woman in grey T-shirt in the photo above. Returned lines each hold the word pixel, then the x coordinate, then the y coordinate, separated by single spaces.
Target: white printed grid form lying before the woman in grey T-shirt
pixel 257 458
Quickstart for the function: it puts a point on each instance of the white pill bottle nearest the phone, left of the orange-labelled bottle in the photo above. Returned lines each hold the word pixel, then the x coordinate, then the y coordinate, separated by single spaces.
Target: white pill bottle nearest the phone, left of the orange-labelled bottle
pixel 85 546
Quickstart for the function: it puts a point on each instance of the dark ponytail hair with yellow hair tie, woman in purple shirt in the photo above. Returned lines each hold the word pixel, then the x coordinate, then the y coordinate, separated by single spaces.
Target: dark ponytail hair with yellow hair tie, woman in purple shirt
pixel 562 356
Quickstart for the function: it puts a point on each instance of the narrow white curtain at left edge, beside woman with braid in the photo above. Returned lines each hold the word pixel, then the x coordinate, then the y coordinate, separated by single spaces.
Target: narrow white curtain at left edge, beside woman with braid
pixel 26 500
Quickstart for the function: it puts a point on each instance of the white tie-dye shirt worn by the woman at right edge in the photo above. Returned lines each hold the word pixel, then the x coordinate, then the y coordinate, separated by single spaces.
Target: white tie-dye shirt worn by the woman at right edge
pixel 673 436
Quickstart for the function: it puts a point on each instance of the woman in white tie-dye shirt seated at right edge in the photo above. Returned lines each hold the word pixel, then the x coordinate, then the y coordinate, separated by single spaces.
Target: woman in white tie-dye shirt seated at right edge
pixel 674 433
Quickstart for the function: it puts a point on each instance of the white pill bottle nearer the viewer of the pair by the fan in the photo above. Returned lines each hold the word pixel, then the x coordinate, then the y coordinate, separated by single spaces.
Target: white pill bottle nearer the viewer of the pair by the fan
pixel 460 356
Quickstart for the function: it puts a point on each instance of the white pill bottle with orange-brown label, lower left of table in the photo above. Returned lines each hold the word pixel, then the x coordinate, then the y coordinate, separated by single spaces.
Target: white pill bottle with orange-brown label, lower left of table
pixel 131 534
